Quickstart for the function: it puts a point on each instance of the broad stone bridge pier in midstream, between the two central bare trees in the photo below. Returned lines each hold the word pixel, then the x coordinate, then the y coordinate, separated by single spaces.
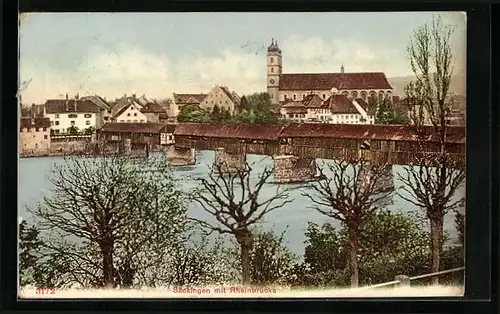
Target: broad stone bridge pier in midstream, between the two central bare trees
pixel 289 168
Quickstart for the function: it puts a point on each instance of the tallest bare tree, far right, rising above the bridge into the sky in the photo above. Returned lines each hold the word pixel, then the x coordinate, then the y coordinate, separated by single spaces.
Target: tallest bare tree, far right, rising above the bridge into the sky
pixel 435 178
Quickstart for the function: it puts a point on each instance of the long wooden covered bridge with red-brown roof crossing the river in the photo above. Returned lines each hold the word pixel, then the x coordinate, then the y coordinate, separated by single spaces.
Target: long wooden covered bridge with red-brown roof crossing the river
pixel 293 145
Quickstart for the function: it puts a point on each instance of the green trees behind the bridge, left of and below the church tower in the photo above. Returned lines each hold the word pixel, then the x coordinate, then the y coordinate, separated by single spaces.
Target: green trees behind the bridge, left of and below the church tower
pixel 254 108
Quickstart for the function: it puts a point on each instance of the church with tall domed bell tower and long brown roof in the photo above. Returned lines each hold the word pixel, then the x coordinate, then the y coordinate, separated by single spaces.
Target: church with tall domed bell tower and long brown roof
pixel 296 86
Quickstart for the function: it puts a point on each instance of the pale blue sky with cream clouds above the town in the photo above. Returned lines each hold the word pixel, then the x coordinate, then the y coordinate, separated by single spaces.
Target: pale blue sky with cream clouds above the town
pixel 157 54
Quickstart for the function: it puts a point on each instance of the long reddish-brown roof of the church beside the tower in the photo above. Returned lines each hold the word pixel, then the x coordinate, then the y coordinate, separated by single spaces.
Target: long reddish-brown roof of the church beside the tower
pixel 326 81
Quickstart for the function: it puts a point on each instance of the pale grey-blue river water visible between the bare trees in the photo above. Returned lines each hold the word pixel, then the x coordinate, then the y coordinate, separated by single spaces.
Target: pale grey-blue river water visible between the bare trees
pixel 34 184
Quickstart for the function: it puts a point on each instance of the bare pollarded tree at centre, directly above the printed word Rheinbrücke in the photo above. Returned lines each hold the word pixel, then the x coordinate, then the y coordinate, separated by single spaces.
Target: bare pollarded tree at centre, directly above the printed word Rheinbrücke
pixel 235 202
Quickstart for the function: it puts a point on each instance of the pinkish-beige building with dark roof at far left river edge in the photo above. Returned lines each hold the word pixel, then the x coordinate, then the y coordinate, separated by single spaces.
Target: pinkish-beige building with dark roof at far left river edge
pixel 34 136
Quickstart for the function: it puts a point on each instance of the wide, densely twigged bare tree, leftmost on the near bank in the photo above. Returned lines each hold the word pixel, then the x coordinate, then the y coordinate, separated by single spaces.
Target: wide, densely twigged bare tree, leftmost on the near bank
pixel 111 220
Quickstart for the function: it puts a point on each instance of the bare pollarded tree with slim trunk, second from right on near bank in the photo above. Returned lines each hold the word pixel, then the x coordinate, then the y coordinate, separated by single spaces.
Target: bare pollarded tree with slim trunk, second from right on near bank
pixel 350 193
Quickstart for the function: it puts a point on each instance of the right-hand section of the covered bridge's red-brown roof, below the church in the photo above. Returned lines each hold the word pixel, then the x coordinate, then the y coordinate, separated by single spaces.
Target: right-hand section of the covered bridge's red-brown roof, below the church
pixel 368 131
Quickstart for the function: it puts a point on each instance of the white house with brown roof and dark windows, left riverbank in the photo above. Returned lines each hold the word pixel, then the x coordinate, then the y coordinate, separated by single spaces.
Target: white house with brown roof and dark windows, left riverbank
pixel 66 113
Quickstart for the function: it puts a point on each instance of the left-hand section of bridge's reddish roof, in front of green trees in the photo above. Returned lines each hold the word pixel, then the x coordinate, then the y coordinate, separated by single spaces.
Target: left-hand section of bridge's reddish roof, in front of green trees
pixel 240 131
